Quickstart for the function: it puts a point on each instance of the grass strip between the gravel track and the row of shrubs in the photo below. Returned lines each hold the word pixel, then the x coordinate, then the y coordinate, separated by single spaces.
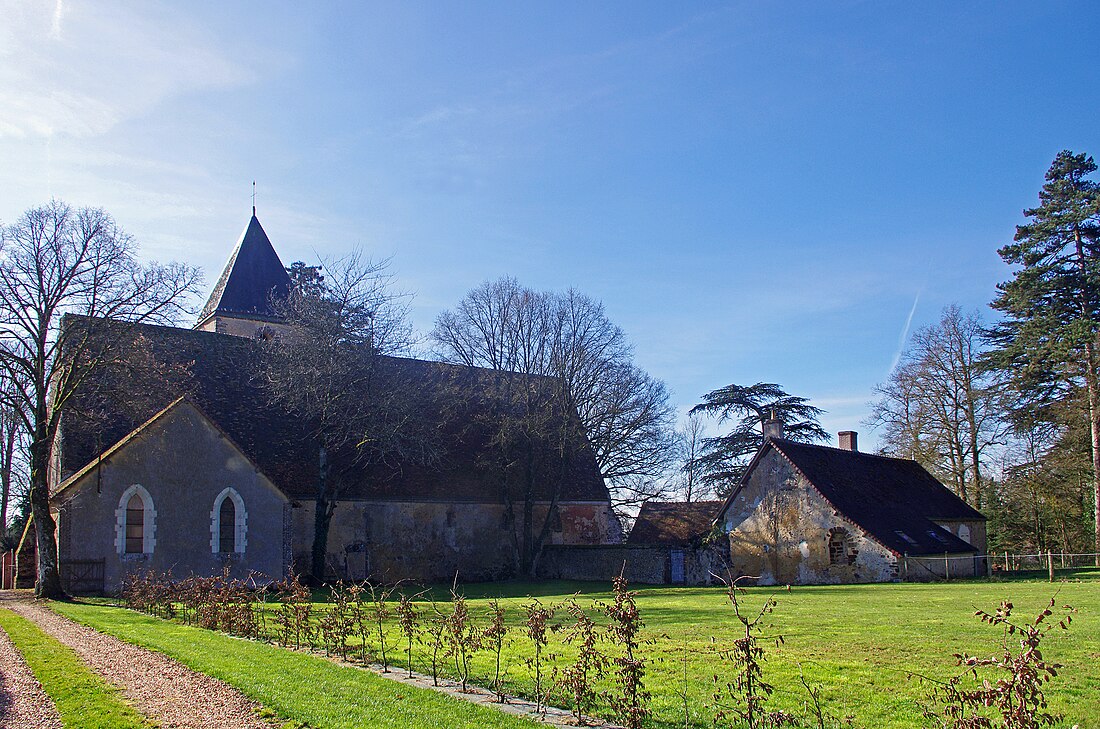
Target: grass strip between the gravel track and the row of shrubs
pixel 302 688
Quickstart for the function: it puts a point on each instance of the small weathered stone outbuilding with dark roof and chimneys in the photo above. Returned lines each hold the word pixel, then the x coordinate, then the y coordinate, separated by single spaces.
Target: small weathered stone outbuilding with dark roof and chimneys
pixel 807 514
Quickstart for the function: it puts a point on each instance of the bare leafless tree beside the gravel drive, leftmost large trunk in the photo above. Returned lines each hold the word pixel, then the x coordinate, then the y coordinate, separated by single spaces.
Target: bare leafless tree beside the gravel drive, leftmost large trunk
pixel 57 260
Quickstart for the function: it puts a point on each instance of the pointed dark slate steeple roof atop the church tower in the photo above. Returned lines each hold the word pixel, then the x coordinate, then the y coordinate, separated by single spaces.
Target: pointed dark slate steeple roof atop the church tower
pixel 254 277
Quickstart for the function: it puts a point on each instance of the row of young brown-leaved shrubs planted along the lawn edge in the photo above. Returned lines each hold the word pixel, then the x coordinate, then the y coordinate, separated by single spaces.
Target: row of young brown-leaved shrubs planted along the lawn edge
pixel 360 622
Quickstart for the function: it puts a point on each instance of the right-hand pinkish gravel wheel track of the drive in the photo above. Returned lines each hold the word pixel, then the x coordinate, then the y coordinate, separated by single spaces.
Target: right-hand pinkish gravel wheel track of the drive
pixel 162 689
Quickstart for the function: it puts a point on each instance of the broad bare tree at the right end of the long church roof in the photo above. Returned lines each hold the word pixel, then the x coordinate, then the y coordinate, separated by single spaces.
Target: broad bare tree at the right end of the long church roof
pixel 556 355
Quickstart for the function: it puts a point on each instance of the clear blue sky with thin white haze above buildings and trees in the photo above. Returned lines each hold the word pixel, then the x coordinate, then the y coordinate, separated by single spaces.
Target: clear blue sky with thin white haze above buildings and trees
pixel 757 192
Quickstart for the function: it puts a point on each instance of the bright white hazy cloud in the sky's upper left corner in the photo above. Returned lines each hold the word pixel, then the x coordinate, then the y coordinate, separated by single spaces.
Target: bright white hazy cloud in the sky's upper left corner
pixel 82 70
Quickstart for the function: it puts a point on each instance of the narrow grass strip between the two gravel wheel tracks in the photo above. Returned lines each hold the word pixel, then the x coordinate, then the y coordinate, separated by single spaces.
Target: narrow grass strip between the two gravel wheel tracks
pixel 83 699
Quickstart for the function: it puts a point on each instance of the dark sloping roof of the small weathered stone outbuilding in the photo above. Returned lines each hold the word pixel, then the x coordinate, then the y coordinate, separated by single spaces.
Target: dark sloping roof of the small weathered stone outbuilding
pixel 895 501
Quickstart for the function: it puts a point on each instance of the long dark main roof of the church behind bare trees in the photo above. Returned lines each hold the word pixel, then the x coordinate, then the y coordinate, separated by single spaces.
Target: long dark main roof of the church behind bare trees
pixel 222 380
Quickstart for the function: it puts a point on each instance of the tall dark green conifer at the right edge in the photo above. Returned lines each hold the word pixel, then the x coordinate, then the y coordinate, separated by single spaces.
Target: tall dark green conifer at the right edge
pixel 1049 340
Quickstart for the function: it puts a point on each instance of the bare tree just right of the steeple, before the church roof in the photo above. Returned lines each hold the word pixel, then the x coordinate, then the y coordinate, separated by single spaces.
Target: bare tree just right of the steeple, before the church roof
pixel 329 368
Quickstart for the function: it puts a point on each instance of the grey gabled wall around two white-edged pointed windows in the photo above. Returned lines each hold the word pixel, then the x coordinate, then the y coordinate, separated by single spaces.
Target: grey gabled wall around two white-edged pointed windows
pixel 183 465
